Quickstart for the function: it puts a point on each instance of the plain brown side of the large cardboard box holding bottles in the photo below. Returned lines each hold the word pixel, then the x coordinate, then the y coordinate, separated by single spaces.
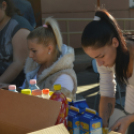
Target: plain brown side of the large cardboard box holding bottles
pixel 21 114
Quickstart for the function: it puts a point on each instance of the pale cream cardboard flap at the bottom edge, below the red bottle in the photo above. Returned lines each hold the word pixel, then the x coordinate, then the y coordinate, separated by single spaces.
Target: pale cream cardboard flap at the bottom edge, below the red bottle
pixel 58 129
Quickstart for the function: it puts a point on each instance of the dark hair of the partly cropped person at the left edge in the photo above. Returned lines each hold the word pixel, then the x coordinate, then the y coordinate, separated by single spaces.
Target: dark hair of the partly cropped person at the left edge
pixel 10 10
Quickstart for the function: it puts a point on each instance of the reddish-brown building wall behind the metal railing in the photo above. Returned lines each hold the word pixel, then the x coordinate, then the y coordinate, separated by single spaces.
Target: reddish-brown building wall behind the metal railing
pixel 84 9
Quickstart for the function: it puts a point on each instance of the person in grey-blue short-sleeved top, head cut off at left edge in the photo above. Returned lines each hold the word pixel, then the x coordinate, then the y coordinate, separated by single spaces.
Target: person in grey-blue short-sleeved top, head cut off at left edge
pixel 14 30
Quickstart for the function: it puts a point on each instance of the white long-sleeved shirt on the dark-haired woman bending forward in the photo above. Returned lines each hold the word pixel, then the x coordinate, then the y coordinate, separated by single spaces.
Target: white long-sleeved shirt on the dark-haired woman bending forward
pixel 108 86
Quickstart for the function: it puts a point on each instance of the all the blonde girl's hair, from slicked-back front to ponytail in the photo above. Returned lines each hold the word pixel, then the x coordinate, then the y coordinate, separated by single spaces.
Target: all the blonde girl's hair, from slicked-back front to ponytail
pixel 49 32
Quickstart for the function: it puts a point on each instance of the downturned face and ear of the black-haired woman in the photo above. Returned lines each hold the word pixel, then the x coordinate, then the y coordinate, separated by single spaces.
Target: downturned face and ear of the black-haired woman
pixel 105 56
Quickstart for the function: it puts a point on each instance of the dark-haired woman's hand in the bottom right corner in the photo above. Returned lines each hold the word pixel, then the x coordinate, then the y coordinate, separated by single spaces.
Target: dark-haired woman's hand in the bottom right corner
pixel 122 124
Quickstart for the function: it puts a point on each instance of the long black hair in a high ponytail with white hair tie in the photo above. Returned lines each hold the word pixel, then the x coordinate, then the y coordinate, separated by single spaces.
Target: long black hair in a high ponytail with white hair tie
pixel 99 33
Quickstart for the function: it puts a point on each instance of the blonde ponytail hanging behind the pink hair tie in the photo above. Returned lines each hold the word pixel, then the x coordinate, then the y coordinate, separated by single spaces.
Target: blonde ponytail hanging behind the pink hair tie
pixel 55 27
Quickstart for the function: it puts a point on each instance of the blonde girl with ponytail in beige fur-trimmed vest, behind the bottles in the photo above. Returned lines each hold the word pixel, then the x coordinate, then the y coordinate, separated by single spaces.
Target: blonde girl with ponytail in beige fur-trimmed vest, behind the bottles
pixel 50 61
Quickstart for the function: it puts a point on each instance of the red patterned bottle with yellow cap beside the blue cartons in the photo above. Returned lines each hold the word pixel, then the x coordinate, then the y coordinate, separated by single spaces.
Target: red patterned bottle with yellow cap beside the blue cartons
pixel 59 96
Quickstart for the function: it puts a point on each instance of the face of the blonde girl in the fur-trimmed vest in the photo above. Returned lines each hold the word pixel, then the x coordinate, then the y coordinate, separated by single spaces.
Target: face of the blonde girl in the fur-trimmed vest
pixel 38 52
